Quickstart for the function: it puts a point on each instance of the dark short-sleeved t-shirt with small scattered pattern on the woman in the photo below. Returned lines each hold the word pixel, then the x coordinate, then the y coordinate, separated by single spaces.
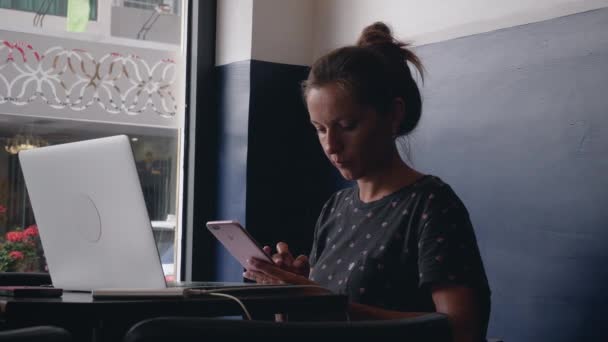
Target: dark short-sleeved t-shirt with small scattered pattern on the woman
pixel 388 252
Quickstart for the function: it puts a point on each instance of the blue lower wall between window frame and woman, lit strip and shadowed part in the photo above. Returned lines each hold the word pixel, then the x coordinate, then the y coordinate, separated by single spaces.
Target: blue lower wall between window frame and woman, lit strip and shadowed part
pixel 273 175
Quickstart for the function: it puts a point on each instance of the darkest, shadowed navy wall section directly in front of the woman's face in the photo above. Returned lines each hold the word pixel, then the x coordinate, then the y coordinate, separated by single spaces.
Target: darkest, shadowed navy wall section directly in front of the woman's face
pixel 288 176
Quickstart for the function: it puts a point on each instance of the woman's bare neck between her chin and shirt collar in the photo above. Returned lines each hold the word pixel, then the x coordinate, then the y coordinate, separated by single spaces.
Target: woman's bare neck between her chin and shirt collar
pixel 386 180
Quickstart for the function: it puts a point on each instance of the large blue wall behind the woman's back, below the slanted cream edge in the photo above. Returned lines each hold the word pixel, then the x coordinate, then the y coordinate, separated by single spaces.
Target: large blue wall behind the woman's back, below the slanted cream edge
pixel 517 121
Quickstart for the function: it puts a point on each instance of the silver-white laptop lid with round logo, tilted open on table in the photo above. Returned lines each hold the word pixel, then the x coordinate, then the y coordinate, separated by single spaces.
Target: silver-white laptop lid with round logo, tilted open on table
pixel 89 206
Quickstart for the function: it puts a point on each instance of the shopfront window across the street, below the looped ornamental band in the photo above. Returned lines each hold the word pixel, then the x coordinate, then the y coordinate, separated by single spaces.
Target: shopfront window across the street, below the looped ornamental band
pixel 155 156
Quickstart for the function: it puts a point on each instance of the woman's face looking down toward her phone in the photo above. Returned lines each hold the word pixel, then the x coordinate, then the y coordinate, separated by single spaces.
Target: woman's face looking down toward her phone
pixel 356 139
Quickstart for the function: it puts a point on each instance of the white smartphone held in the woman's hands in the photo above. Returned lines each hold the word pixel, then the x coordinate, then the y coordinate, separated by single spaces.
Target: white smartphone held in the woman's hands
pixel 237 241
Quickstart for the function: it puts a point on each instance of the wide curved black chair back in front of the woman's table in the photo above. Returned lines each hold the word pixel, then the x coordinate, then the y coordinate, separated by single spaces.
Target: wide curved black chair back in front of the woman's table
pixel 432 327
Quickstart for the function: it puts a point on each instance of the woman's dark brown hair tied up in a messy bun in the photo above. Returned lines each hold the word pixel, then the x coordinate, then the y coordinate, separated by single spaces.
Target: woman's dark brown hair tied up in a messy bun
pixel 374 72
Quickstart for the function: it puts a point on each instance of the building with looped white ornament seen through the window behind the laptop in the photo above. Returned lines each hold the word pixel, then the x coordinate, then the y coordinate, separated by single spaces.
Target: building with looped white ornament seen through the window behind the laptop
pixel 123 75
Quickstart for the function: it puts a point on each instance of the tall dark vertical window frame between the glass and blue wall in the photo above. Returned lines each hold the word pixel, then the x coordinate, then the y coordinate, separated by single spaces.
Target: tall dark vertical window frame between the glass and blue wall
pixel 201 142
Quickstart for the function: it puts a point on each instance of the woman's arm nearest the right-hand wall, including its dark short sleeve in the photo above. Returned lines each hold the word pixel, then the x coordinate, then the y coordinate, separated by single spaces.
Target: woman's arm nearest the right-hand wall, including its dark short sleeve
pixel 450 265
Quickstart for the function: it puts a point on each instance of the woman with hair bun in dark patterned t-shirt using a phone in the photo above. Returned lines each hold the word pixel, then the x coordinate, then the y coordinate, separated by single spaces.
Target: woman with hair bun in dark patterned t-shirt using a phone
pixel 398 242
